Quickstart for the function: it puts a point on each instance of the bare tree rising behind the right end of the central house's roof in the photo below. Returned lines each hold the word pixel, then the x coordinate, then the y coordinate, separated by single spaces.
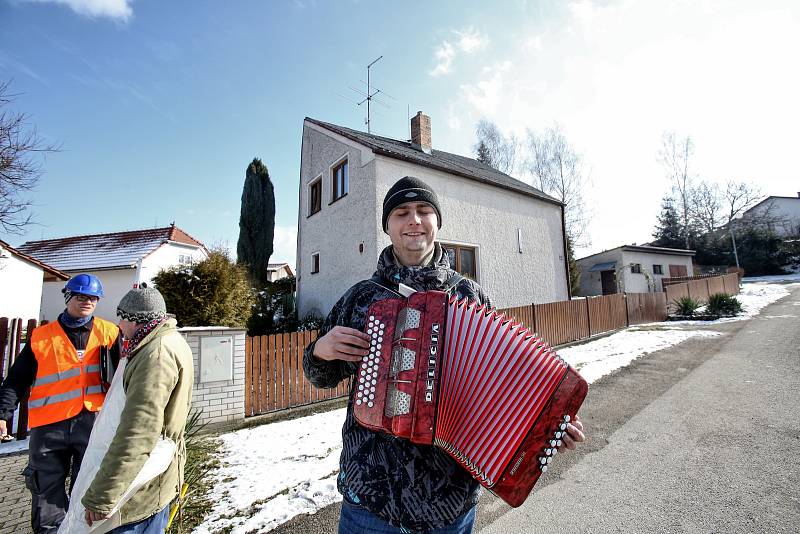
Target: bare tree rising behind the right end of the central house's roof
pixel 557 170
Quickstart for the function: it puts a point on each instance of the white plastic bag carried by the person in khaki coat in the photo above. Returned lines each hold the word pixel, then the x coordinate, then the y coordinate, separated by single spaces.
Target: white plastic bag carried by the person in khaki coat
pixel 105 426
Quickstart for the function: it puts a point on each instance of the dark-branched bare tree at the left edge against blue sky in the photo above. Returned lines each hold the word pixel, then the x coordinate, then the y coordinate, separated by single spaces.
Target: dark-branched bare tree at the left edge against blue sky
pixel 21 152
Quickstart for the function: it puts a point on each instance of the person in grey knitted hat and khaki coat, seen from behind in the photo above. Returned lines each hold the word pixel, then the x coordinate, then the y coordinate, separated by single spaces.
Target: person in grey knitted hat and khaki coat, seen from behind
pixel 157 381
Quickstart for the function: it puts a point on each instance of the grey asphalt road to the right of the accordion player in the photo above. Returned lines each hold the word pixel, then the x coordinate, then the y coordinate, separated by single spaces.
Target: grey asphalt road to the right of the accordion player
pixel 701 437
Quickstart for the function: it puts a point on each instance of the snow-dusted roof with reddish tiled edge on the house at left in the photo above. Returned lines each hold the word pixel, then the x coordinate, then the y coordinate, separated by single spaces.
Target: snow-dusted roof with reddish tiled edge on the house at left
pixel 119 250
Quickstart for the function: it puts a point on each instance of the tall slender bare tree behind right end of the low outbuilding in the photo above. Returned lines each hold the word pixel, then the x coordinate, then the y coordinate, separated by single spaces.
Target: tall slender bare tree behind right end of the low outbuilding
pixel 675 155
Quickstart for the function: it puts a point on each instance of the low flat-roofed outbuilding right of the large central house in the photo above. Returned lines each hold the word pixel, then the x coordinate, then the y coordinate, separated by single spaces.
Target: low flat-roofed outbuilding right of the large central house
pixel 632 269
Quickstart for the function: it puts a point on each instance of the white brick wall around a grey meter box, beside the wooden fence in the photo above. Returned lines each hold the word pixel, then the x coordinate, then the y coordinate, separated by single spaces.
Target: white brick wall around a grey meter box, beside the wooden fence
pixel 220 401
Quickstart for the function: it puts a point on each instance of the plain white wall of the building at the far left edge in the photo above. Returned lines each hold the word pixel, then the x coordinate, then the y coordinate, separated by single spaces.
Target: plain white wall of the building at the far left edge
pixel 20 288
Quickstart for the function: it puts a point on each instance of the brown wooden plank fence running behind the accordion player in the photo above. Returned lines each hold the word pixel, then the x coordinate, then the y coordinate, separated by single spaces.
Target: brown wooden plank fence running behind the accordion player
pixel 274 378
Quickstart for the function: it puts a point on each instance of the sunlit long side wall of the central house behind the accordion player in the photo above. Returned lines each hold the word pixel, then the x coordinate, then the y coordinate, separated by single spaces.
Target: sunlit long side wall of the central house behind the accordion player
pixel 487 217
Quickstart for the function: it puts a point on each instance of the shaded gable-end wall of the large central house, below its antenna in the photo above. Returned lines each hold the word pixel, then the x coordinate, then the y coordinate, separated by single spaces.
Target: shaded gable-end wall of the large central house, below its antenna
pixel 337 230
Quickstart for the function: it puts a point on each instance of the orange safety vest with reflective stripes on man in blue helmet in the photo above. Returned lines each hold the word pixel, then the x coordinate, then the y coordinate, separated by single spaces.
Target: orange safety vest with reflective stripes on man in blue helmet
pixel 65 383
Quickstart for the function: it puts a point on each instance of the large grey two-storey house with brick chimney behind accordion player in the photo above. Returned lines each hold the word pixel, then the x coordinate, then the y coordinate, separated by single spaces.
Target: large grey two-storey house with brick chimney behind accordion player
pixel 502 232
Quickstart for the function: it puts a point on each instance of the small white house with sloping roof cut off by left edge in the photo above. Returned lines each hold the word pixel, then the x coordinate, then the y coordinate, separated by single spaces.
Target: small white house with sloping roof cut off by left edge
pixel 21 280
